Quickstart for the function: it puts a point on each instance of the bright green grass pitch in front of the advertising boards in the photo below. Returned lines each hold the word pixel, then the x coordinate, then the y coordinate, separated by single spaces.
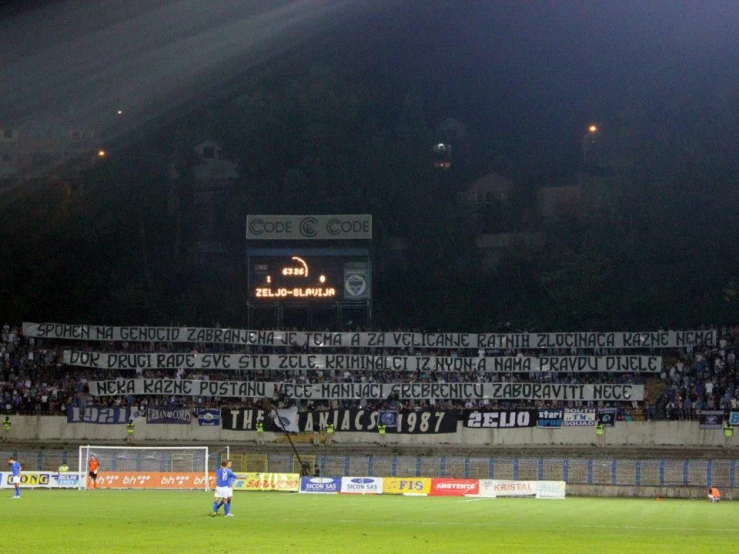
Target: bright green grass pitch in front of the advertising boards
pixel 108 522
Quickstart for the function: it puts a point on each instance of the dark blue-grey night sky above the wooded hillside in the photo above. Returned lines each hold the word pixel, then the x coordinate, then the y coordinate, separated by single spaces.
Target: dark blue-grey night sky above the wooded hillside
pixel 529 74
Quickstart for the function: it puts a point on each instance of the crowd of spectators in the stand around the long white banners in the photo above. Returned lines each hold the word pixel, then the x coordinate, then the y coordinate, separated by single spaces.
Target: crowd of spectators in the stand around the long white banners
pixel 36 381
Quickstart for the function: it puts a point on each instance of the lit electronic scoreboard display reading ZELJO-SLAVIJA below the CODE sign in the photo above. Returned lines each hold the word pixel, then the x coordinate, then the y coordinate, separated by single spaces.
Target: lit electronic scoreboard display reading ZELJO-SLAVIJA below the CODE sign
pixel 308 277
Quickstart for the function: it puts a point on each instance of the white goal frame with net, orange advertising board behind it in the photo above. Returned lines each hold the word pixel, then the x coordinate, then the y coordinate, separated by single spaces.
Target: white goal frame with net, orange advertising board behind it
pixel 143 467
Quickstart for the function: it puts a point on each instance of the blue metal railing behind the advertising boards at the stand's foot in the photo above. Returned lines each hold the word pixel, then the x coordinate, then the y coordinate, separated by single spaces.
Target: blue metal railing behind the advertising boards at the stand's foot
pixel 575 471
